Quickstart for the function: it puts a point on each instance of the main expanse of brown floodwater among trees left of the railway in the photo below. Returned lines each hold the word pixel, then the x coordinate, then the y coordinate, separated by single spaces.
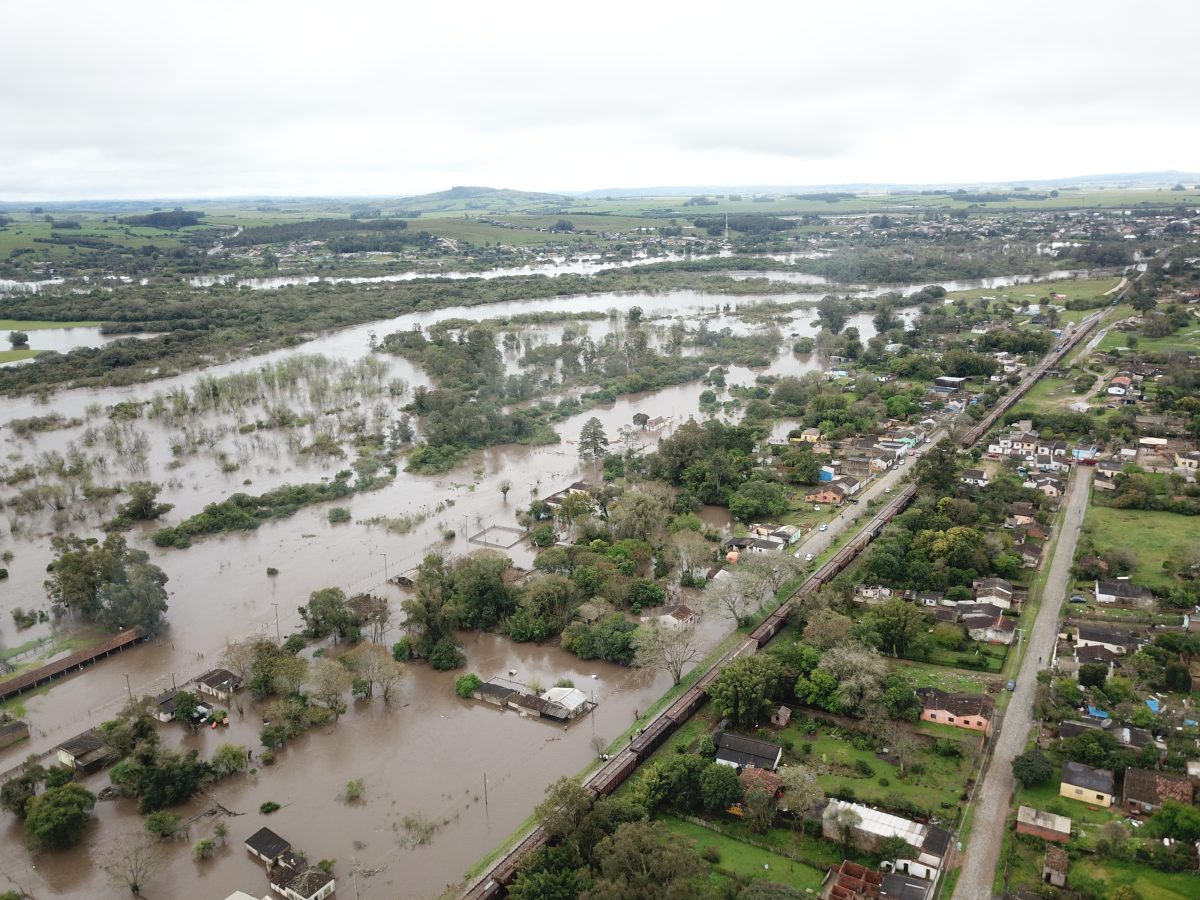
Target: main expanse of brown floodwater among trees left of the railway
pixel 428 753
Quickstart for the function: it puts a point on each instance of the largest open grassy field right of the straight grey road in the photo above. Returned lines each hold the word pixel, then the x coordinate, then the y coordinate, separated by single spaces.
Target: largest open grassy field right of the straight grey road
pixel 1150 536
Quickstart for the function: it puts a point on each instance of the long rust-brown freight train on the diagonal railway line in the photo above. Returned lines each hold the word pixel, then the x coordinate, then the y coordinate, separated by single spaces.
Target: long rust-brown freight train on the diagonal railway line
pixel 617 770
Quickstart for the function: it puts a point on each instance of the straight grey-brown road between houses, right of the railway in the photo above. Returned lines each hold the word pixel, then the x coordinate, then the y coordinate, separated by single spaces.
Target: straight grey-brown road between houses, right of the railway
pixel 982 860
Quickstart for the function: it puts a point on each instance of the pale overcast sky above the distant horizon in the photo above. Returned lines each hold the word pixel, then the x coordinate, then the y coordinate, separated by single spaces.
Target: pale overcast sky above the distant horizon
pixel 189 99
